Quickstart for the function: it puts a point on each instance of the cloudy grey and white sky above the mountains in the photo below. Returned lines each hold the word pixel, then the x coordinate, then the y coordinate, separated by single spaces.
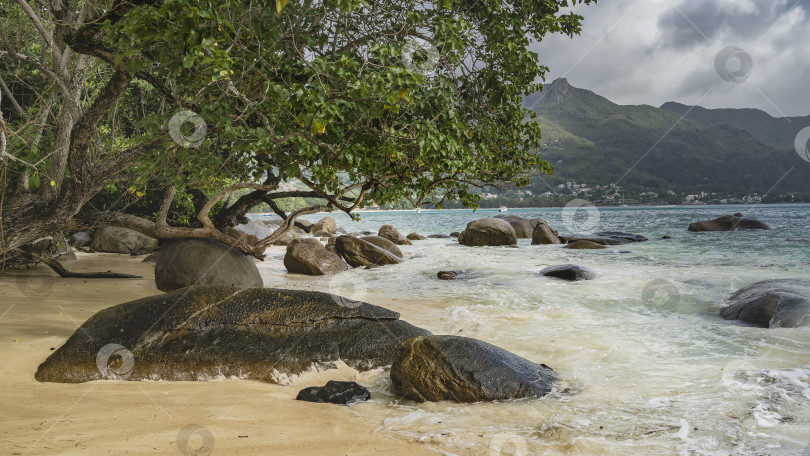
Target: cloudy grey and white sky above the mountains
pixel 712 53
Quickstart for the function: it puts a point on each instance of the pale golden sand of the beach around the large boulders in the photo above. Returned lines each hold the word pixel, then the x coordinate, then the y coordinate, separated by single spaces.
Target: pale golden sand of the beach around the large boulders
pixel 39 311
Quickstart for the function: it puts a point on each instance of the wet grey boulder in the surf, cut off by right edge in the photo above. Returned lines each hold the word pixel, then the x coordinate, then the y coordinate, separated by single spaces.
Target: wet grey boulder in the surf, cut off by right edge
pixel 771 304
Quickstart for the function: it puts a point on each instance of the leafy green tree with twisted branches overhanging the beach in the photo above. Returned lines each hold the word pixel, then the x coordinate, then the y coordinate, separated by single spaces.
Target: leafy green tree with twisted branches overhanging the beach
pixel 359 101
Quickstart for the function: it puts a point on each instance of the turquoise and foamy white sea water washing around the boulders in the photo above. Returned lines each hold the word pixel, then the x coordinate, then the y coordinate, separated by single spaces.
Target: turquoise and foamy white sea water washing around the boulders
pixel 648 367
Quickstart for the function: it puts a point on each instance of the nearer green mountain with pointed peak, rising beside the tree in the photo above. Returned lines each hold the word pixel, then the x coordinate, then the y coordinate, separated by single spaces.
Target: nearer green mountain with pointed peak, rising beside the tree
pixel 590 139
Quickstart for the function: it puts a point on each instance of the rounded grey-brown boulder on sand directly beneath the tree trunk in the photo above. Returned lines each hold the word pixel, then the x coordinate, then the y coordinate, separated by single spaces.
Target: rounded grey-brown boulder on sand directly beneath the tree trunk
pixel 185 262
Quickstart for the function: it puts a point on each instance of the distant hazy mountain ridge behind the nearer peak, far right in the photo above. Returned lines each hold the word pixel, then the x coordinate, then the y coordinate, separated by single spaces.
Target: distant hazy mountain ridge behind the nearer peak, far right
pixel 778 132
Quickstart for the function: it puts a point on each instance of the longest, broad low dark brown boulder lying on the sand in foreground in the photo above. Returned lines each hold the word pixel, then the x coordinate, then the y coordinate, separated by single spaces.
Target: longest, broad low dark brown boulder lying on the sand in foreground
pixel 212 332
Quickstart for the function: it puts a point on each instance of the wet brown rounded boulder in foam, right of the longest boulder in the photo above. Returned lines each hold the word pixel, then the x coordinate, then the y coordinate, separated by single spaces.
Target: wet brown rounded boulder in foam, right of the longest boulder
pixel 438 368
